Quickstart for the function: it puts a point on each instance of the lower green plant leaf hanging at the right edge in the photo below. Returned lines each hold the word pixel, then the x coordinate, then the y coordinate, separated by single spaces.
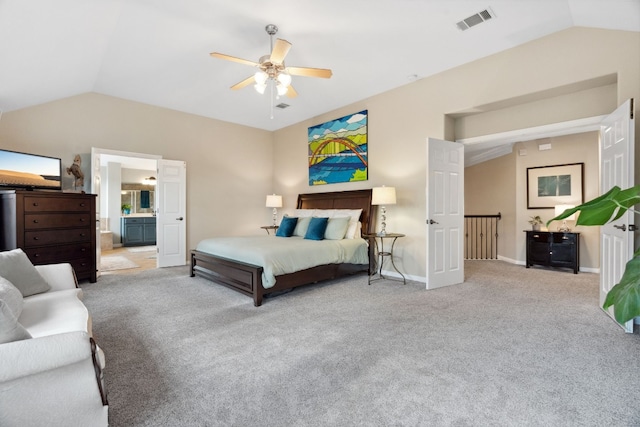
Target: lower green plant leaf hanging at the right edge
pixel 625 296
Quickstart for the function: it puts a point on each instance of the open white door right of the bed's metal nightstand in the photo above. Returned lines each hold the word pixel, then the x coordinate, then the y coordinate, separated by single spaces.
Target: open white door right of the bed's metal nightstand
pixel 445 213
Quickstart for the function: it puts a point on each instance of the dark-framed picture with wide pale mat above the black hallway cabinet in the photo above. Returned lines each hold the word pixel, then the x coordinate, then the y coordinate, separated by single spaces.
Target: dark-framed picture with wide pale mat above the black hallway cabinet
pixel 548 186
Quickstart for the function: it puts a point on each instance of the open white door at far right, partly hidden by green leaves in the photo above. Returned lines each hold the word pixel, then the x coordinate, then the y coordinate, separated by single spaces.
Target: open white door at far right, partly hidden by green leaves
pixel 616 168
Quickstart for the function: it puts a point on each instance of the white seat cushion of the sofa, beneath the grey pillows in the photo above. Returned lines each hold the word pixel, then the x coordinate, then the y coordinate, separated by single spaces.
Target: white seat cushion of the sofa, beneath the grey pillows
pixel 55 313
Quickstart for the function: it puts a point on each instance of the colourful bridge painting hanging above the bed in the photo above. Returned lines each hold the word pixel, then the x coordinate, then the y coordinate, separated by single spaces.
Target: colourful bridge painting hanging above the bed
pixel 338 150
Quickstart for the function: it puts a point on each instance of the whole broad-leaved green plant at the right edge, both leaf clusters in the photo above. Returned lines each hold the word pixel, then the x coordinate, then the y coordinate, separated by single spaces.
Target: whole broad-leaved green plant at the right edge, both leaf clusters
pixel 624 296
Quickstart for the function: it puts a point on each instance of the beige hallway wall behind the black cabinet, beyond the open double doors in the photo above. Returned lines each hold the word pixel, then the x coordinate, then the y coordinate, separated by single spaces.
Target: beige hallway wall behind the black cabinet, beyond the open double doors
pixel 500 185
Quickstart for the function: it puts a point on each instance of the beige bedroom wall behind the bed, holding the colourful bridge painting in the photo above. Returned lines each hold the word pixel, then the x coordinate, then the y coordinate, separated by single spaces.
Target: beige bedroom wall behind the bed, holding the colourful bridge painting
pixel 401 120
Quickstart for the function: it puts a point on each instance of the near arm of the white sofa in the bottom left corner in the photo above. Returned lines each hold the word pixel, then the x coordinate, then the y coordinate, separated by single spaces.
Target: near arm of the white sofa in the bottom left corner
pixel 52 380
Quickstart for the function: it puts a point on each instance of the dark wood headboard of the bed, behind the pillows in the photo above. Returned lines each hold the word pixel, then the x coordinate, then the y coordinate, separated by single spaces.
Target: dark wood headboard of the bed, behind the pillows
pixel 354 199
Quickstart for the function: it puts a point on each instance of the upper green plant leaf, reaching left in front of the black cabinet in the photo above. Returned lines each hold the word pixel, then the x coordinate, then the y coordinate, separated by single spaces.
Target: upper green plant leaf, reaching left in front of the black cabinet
pixel 601 210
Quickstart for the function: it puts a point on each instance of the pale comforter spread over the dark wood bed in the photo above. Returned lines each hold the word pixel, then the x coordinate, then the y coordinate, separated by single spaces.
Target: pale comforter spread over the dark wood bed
pixel 282 255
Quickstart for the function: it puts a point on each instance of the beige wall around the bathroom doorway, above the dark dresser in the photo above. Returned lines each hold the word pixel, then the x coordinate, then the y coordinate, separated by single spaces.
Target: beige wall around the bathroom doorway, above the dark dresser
pixel 229 167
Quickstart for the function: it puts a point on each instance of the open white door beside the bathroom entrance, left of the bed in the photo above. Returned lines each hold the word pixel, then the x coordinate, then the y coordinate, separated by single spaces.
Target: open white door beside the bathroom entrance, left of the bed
pixel 171 193
